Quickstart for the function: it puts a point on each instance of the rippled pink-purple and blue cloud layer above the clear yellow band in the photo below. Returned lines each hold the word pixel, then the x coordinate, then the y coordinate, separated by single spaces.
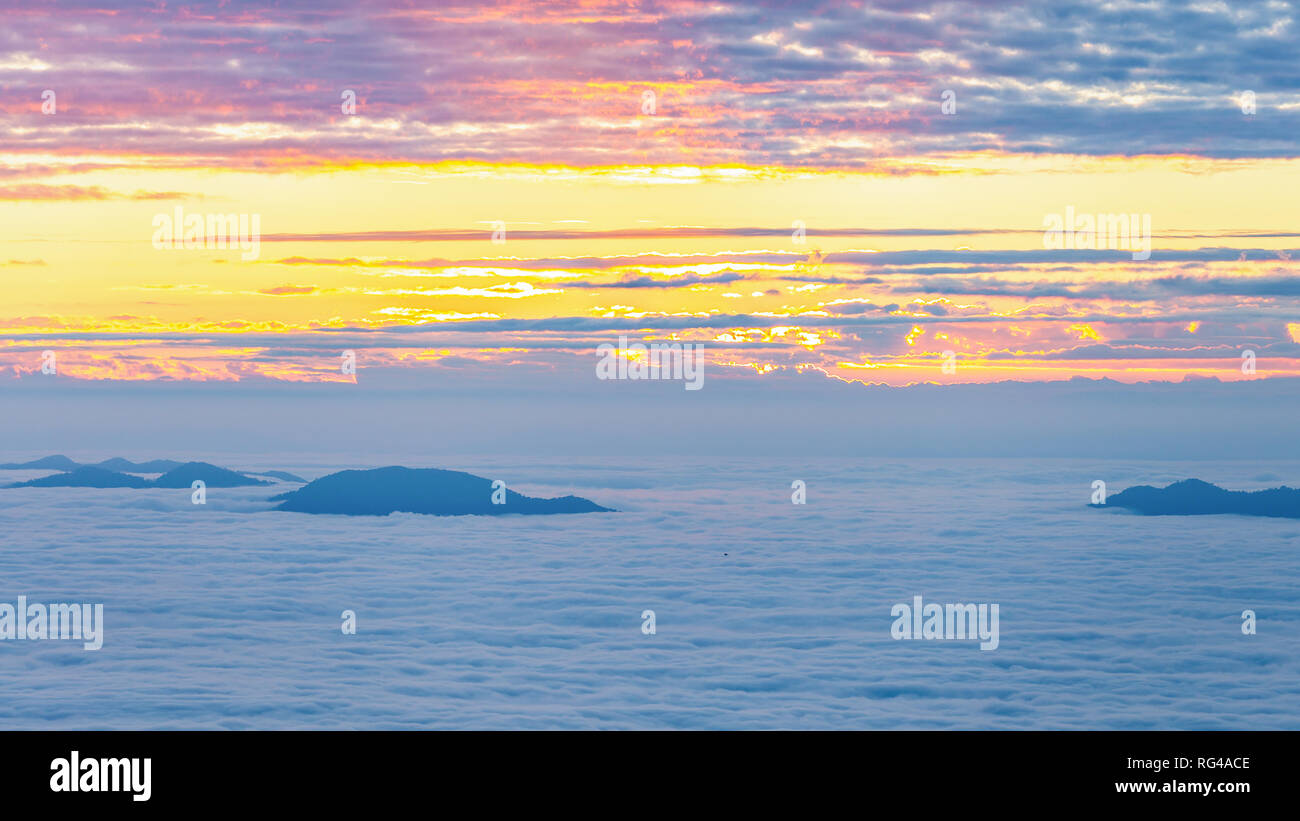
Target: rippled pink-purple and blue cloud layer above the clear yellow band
pixel 755 84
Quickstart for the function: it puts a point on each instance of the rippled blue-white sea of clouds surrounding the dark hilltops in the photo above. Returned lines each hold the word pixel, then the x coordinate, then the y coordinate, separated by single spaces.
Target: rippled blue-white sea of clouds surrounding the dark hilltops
pixel 769 615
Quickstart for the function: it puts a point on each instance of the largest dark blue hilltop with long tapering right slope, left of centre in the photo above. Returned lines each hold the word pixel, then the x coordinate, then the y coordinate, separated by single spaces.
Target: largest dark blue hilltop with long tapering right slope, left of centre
pixel 415 490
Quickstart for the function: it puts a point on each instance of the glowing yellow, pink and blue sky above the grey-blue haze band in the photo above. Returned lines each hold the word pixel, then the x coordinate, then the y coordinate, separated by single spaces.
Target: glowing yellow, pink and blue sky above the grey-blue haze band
pixel 813 193
